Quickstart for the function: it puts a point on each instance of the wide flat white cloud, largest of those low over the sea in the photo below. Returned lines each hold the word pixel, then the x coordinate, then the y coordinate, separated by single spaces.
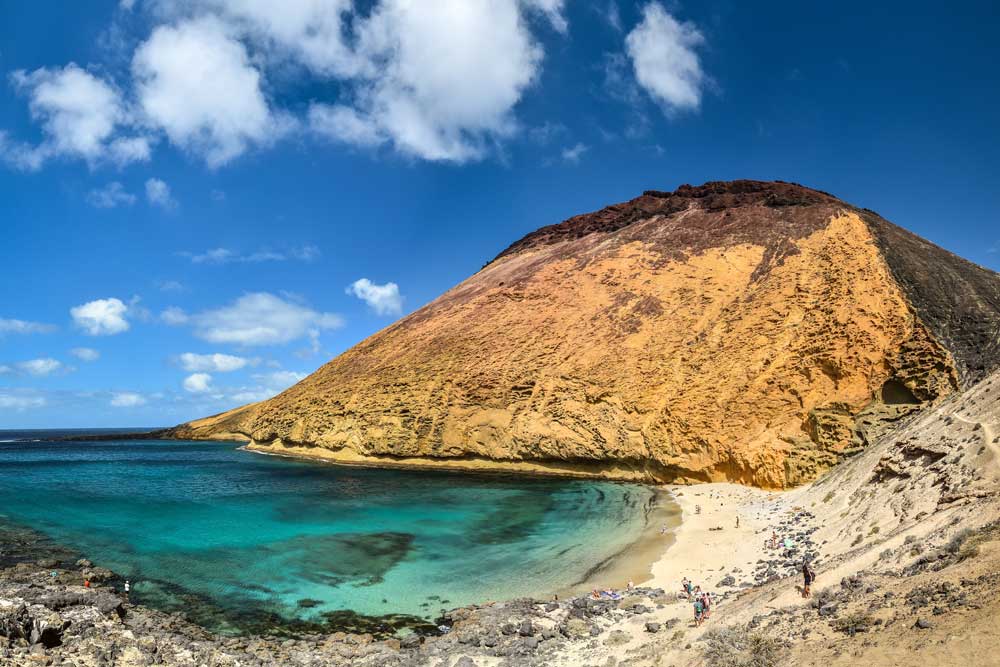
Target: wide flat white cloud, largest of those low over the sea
pixel 261 318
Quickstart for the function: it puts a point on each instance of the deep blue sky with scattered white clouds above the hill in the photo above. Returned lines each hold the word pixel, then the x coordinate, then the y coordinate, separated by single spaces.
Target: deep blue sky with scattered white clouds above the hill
pixel 204 200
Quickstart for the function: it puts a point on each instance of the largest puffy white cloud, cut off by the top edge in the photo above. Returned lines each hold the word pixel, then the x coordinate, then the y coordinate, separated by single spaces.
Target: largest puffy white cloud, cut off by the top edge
pixel 438 80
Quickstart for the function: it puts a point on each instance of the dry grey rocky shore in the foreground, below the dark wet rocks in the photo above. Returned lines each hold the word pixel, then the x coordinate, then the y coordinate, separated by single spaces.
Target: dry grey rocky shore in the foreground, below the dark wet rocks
pixel 48 617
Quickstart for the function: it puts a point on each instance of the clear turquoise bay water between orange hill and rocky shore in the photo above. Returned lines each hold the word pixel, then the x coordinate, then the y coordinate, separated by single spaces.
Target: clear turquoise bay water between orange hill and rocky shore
pixel 238 540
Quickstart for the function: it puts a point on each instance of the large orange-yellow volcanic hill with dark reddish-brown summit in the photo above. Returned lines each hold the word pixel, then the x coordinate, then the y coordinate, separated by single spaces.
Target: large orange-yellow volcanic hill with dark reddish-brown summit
pixel 743 331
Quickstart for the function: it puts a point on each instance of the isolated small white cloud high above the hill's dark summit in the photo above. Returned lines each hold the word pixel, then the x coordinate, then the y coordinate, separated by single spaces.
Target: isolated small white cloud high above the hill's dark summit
pixel 663 56
